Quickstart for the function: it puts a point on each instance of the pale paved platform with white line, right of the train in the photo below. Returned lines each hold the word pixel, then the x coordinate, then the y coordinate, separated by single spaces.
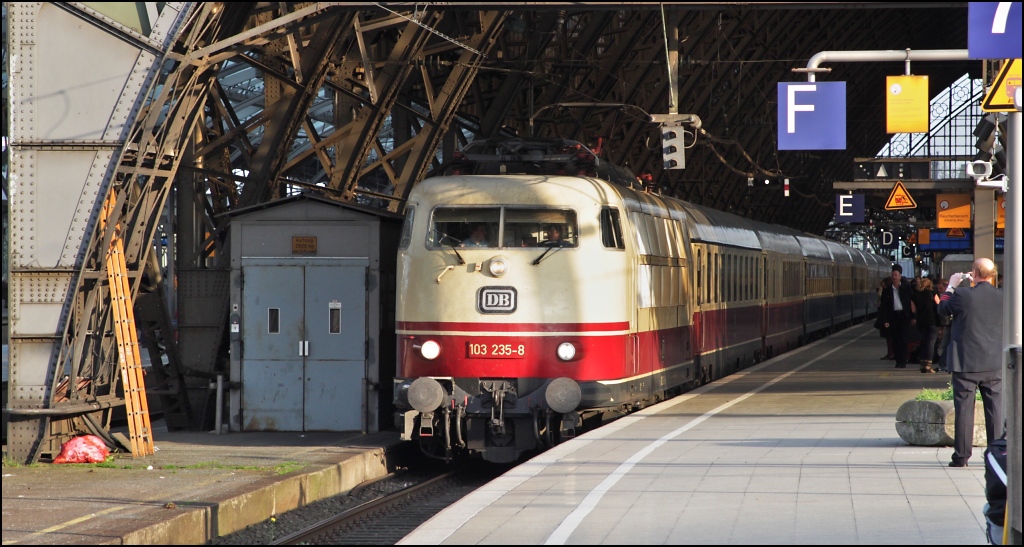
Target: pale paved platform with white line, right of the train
pixel 801 449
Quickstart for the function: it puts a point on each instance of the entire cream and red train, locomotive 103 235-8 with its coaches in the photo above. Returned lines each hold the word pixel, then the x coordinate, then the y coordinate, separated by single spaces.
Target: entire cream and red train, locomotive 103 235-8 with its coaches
pixel 540 287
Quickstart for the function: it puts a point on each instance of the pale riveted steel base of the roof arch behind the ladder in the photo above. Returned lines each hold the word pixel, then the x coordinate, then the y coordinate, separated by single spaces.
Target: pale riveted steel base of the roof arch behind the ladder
pixel 72 124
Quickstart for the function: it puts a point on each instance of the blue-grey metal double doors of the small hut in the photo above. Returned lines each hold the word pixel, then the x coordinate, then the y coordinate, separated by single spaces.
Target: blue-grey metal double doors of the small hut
pixel 304 359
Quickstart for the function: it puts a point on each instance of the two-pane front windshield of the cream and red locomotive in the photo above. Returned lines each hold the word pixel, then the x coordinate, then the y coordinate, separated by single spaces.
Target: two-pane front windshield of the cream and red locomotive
pixel 514 227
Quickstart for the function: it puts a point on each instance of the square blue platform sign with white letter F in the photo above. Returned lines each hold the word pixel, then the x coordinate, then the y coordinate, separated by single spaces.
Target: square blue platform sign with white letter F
pixel 813 116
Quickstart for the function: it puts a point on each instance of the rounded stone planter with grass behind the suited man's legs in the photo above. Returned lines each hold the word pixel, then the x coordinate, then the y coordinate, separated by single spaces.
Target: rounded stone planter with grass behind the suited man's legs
pixel 930 424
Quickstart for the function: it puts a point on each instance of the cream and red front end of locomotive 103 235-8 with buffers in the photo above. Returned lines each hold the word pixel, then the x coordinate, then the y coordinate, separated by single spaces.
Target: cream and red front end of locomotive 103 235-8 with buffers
pixel 499 333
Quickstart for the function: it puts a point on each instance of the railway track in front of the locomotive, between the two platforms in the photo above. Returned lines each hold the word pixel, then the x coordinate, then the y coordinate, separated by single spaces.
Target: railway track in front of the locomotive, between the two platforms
pixel 387 520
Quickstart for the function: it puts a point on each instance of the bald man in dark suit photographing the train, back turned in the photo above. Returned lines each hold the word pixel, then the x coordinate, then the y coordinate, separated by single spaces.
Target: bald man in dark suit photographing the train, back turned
pixel 975 354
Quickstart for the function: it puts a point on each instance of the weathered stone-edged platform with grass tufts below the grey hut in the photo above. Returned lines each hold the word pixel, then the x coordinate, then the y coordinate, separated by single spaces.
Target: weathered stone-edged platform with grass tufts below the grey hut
pixel 197 487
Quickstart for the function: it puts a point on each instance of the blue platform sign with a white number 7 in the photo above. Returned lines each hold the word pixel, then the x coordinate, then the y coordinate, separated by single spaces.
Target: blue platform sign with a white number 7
pixel 994 30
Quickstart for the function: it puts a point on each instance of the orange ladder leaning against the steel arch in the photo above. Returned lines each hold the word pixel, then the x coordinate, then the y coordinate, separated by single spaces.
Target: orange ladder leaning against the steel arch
pixel 140 430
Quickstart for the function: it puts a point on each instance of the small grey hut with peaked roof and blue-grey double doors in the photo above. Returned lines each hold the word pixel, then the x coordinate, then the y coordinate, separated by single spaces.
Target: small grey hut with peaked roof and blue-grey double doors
pixel 312 324
